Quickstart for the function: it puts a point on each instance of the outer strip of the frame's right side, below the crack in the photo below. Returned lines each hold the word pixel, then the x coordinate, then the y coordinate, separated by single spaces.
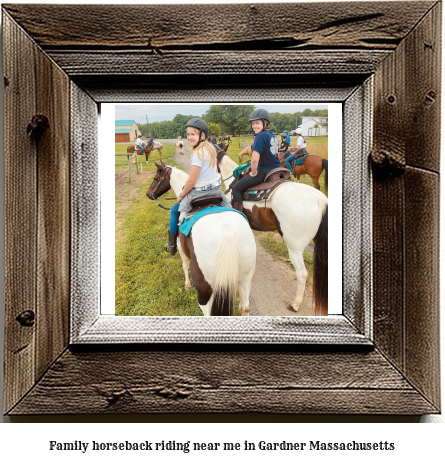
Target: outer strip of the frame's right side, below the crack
pixel 422 190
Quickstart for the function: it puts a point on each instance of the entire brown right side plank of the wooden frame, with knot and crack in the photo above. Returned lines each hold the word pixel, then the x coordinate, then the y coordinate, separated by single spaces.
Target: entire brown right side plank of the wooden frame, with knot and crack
pixel 406 205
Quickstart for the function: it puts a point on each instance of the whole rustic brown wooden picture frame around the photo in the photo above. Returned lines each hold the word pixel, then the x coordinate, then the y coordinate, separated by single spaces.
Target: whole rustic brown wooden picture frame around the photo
pixel 382 360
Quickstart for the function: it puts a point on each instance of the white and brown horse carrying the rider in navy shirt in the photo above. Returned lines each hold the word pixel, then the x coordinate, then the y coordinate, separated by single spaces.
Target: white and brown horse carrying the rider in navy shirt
pixel 300 214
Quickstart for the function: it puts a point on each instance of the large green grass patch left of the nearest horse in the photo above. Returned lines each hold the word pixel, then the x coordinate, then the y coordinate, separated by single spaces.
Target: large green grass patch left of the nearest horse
pixel 148 281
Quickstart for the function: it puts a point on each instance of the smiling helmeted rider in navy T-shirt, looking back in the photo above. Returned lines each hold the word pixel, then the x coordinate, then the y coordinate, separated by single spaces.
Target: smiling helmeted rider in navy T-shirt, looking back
pixel 264 156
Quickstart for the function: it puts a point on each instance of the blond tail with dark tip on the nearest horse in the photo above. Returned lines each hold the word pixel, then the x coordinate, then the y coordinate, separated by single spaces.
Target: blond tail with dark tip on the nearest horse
pixel 226 276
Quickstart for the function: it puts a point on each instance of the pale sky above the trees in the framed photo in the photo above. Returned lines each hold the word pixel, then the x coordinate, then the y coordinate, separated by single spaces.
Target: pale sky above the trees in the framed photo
pixel 166 112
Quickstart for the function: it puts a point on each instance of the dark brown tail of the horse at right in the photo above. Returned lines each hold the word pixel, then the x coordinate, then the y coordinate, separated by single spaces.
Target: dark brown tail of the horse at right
pixel 320 282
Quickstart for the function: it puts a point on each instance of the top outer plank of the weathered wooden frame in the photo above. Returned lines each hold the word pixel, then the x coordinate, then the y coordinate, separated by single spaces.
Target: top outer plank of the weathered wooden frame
pixel 350 25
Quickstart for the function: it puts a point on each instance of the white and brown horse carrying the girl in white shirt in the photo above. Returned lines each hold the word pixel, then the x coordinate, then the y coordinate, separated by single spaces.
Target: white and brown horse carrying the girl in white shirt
pixel 221 248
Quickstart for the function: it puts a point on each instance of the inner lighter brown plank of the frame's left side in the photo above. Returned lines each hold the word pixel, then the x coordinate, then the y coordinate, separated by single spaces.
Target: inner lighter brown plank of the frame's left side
pixel 53 225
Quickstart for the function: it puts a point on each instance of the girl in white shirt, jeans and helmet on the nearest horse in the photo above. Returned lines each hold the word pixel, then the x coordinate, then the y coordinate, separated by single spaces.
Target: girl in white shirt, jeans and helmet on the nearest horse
pixel 204 179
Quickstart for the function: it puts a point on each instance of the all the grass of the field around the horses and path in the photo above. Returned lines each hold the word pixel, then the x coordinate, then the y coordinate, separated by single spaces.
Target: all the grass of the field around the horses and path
pixel 148 281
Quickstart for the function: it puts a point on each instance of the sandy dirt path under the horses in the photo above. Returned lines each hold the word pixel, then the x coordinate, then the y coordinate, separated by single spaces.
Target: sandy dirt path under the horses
pixel 274 282
